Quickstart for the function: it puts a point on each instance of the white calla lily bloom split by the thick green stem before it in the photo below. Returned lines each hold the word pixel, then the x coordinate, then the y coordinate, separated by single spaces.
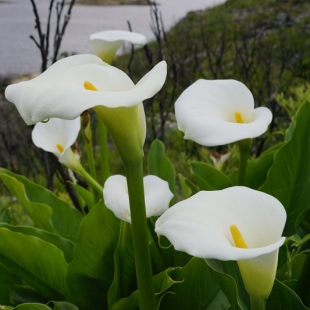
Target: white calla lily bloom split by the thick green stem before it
pixel 156 191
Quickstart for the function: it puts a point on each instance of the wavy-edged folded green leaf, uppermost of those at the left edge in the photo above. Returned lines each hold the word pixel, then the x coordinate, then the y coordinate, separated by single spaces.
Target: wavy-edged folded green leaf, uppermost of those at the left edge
pixel 46 209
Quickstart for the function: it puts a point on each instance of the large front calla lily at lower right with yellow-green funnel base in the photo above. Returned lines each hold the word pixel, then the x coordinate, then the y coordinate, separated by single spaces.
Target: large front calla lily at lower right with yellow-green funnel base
pixel 236 223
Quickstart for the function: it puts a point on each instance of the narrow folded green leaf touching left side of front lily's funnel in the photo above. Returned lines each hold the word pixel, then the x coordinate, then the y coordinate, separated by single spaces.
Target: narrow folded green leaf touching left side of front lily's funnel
pixel 228 277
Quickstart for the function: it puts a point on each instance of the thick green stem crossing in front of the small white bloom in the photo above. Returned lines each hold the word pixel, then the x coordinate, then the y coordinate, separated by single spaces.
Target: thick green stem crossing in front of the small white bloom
pixel 134 173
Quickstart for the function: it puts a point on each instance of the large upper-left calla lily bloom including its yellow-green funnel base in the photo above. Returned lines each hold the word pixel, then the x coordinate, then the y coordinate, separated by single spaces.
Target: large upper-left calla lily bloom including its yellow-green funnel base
pixel 77 83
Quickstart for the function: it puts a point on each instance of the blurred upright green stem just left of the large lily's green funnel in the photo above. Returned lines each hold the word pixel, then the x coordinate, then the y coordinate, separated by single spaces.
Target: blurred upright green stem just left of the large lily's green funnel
pixel 104 150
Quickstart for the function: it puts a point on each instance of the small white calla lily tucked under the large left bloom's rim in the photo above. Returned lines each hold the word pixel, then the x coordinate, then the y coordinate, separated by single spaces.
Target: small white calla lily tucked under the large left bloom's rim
pixel 57 136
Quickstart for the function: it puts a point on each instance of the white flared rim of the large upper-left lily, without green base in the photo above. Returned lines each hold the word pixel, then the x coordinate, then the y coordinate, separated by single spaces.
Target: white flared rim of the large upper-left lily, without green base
pixel 59 92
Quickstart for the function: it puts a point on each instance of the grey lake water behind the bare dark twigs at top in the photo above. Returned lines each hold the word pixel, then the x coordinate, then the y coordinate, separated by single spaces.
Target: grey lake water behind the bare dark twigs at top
pixel 18 54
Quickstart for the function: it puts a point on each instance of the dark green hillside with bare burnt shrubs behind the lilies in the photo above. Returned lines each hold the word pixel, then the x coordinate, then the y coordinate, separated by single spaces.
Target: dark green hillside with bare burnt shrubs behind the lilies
pixel 264 44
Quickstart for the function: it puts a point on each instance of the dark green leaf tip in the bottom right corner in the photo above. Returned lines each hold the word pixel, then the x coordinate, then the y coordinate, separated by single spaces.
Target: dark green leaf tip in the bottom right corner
pixel 283 298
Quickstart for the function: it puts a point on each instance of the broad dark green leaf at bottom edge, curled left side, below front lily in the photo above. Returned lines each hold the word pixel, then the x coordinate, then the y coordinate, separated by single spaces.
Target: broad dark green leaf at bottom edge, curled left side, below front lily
pixel 197 289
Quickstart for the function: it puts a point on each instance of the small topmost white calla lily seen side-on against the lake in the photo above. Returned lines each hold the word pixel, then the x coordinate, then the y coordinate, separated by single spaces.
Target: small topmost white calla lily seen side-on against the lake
pixel 106 43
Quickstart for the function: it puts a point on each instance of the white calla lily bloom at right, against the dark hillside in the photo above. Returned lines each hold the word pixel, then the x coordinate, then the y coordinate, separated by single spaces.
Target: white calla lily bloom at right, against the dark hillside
pixel 218 112
